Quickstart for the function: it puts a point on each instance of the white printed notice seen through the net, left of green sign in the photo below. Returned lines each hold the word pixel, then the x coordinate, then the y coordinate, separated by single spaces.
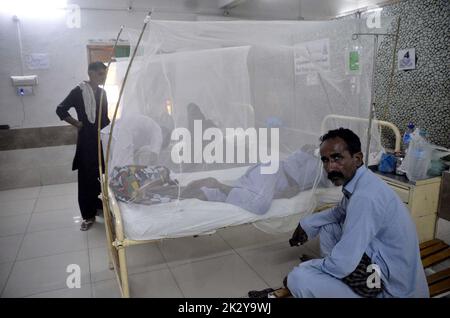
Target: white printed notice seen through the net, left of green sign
pixel 312 56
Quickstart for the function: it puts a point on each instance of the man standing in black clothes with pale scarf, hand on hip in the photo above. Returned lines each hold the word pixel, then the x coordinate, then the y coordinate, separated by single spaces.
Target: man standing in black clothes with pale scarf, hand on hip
pixel 85 98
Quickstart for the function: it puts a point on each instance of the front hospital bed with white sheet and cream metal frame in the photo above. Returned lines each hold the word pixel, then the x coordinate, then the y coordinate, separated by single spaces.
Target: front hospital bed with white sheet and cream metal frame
pixel 130 224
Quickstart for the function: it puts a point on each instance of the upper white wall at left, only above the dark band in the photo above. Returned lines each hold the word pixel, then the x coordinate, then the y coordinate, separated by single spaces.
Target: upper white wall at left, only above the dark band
pixel 66 47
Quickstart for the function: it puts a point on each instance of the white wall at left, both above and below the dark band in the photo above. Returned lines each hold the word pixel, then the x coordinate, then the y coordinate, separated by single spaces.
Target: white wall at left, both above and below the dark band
pixel 66 47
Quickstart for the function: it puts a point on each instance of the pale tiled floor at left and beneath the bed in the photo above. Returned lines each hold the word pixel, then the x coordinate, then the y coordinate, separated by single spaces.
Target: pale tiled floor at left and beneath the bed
pixel 40 237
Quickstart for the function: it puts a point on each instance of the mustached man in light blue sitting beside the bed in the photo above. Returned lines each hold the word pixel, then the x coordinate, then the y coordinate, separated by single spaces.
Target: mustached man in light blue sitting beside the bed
pixel 368 241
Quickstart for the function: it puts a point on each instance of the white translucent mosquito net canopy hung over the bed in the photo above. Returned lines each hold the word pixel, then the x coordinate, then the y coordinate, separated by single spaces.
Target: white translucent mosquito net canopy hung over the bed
pixel 208 96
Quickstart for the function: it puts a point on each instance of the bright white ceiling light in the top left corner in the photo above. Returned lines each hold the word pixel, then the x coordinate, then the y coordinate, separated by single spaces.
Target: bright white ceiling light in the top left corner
pixel 35 9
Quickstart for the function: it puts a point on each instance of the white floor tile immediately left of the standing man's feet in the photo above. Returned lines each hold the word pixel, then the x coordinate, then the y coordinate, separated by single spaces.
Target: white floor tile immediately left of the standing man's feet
pixel 53 220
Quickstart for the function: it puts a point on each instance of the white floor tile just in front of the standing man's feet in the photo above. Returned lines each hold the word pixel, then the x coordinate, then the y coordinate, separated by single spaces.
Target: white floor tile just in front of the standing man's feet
pixel 52 242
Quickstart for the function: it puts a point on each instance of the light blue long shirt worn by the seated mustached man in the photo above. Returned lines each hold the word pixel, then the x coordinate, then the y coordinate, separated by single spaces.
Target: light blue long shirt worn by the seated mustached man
pixel 374 220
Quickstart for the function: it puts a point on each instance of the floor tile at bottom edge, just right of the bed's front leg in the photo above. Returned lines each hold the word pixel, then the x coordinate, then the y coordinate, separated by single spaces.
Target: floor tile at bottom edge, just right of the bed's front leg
pixel 154 284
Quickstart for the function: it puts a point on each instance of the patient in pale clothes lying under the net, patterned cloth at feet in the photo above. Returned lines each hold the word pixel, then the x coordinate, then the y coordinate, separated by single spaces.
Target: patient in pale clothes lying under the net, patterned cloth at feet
pixel 253 191
